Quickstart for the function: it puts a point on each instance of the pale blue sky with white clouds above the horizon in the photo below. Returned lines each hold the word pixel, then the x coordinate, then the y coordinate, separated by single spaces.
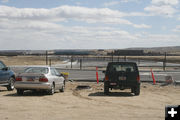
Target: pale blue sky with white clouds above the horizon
pixel 88 24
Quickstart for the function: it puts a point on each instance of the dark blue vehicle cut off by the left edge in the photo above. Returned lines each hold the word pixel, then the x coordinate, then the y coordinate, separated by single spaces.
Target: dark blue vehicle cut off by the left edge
pixel 7 77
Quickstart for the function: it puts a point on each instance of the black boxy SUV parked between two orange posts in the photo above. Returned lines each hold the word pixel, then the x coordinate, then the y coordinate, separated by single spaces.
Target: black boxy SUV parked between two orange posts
pixel 122 75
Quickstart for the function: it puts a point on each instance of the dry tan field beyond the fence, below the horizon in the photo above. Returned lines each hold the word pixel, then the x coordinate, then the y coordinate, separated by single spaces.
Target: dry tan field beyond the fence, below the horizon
pixel 41 60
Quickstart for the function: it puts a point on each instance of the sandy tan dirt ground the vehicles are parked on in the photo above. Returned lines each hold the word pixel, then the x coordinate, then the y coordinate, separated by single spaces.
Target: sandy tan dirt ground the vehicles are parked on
pixel 89 104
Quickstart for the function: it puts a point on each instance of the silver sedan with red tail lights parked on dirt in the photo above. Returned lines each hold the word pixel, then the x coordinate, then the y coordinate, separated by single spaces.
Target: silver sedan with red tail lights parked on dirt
pixel 40 78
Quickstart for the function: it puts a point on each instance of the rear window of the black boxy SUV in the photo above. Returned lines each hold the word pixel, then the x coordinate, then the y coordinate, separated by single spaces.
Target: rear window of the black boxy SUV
pixel 122 68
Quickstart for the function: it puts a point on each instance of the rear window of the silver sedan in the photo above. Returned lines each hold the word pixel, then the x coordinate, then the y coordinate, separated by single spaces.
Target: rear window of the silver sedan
pixel 36 70
